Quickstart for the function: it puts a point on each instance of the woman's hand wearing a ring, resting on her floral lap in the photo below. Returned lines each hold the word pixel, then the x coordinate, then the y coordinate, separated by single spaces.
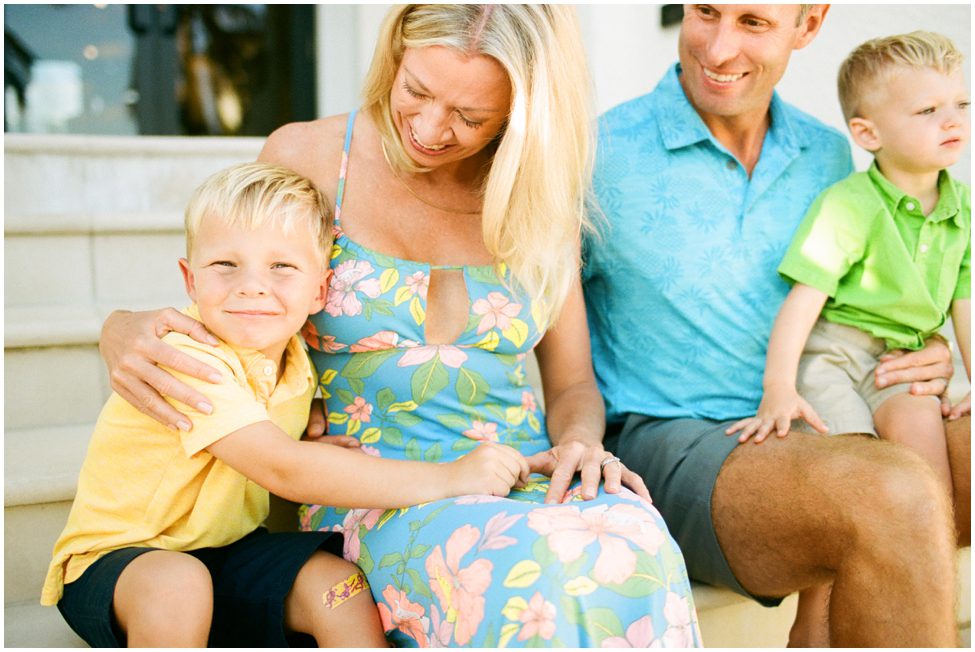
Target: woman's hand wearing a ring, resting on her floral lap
pixel 563 461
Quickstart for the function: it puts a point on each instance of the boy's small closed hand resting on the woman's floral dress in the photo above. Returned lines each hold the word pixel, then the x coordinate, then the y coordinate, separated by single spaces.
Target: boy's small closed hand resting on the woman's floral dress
pixel 490 468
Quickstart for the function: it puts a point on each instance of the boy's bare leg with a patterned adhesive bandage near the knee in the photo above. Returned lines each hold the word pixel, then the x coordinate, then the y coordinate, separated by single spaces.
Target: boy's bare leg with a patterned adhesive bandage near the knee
pixel 351 622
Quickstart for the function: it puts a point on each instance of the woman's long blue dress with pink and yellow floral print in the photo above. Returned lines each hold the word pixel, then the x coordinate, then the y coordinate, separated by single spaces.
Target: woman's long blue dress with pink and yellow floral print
pixel 477 571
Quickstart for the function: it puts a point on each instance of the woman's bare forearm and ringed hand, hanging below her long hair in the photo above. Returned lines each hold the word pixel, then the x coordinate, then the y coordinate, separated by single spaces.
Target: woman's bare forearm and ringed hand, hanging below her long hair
pixel 574 411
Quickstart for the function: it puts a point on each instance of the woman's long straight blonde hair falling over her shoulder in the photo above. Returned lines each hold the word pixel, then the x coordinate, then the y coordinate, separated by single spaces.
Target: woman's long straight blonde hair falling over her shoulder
pixel 537 194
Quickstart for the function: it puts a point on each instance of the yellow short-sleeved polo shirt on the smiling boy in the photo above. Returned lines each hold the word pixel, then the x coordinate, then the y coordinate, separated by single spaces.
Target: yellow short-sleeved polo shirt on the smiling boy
pixel 143 484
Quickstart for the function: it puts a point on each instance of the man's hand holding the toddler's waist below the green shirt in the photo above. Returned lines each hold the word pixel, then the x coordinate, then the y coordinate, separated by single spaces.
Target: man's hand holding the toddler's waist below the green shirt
pixel 928 370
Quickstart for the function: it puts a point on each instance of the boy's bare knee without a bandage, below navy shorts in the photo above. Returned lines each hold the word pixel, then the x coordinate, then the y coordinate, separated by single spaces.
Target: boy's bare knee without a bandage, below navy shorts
pixel 164 599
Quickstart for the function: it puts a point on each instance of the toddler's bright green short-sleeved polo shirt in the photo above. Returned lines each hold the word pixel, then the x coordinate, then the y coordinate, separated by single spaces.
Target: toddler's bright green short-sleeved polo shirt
pixel 888 269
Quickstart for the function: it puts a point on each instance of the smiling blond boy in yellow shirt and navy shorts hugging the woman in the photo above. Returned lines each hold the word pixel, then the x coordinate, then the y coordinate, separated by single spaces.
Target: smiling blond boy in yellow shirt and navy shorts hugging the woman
pixel 164 544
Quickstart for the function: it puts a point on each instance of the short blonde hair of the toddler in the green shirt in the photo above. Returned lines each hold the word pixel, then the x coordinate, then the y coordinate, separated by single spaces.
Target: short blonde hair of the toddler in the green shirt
pixel 871 64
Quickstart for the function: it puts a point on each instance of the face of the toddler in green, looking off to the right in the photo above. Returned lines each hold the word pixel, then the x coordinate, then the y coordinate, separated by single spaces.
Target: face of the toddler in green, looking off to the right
pixel 921 120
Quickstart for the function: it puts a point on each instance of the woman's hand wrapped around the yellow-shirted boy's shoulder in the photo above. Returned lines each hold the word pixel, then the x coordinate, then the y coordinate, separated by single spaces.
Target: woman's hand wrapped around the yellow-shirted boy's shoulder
pixel 131 347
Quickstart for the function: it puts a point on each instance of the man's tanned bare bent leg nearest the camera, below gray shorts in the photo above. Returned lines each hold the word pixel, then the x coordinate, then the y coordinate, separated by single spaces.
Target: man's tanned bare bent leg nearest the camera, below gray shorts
pixel 868 516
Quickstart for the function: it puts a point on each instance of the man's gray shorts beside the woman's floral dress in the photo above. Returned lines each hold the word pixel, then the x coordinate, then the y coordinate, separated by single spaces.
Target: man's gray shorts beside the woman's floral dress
pixel 679 460
